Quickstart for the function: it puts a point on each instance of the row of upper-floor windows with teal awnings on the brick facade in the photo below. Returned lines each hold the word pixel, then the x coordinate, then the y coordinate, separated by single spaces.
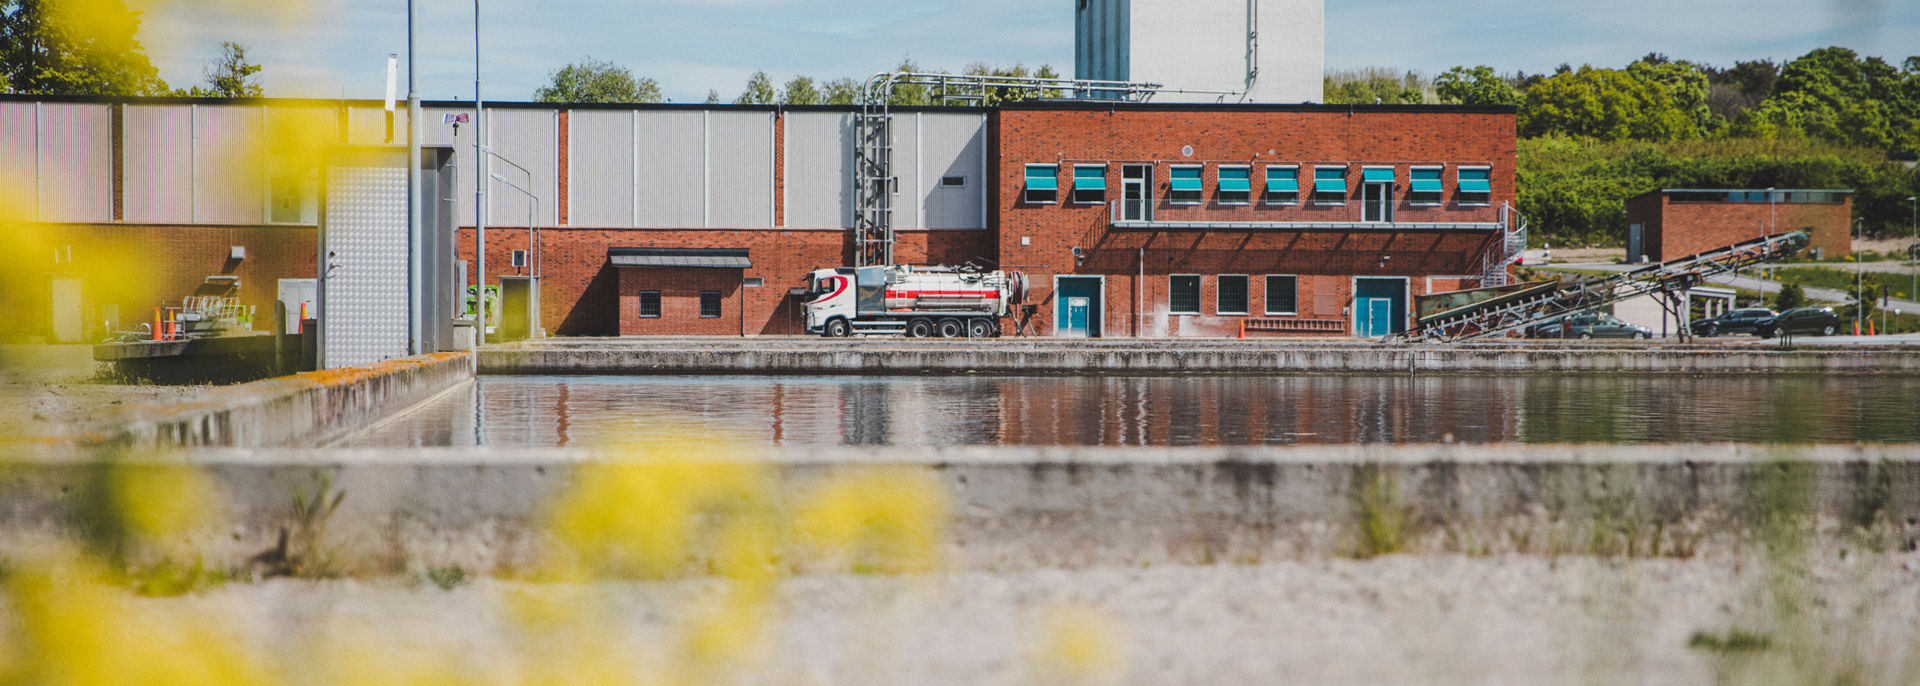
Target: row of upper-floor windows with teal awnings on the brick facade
pixel 1236 185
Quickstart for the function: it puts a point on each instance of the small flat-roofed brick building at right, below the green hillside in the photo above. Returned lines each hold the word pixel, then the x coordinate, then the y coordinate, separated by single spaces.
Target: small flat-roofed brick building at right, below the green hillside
pixel 1685 222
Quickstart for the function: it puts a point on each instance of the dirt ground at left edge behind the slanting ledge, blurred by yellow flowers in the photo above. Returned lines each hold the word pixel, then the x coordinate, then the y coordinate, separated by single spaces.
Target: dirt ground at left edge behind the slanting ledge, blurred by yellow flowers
pixel 53 389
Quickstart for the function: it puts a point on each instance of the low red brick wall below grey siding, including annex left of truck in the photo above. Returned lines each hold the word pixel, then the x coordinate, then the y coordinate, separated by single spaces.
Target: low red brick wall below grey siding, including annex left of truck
pixel 585 297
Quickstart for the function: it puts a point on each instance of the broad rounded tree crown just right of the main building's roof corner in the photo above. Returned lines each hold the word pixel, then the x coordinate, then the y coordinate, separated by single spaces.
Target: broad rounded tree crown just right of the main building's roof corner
pixel 1608 105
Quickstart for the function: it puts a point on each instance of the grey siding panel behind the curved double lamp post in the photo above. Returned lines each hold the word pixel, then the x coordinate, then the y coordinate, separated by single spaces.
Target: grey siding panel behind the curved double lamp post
pixel 527 137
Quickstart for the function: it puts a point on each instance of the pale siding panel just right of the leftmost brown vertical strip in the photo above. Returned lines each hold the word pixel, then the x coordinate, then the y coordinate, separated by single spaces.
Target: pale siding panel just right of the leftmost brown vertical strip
pixel 158 164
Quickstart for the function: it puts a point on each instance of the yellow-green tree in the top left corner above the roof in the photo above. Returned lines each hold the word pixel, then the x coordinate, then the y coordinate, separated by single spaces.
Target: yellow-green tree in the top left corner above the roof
pixel 72 49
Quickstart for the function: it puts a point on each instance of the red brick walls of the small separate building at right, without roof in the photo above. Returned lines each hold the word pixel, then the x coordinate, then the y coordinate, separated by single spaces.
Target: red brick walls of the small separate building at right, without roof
pixel 1679 230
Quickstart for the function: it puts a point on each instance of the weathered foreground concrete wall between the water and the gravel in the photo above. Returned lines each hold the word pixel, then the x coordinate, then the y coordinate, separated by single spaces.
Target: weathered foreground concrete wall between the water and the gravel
pixel 1088 506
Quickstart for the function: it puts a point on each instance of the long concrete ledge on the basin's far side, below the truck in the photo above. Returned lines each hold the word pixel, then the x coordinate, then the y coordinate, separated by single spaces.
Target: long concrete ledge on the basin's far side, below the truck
pixel 1024 356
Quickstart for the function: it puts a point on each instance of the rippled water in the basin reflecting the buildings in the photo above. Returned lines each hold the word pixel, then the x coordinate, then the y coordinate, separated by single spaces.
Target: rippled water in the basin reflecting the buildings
pixel 1161 410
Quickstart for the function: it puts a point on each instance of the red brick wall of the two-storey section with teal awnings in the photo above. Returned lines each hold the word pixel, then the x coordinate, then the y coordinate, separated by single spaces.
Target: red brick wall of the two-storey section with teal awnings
pixel 1326 260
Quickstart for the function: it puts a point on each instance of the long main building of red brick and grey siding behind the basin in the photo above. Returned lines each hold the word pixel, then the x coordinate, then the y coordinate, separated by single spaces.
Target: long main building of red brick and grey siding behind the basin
pixel 1168 220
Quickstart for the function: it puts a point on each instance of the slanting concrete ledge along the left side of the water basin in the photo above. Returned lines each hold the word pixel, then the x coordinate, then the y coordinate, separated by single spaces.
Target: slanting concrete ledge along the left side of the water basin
pixel 302 410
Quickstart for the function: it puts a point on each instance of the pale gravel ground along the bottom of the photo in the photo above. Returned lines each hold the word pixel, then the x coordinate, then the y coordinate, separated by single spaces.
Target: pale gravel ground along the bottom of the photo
pixel 1401 620
